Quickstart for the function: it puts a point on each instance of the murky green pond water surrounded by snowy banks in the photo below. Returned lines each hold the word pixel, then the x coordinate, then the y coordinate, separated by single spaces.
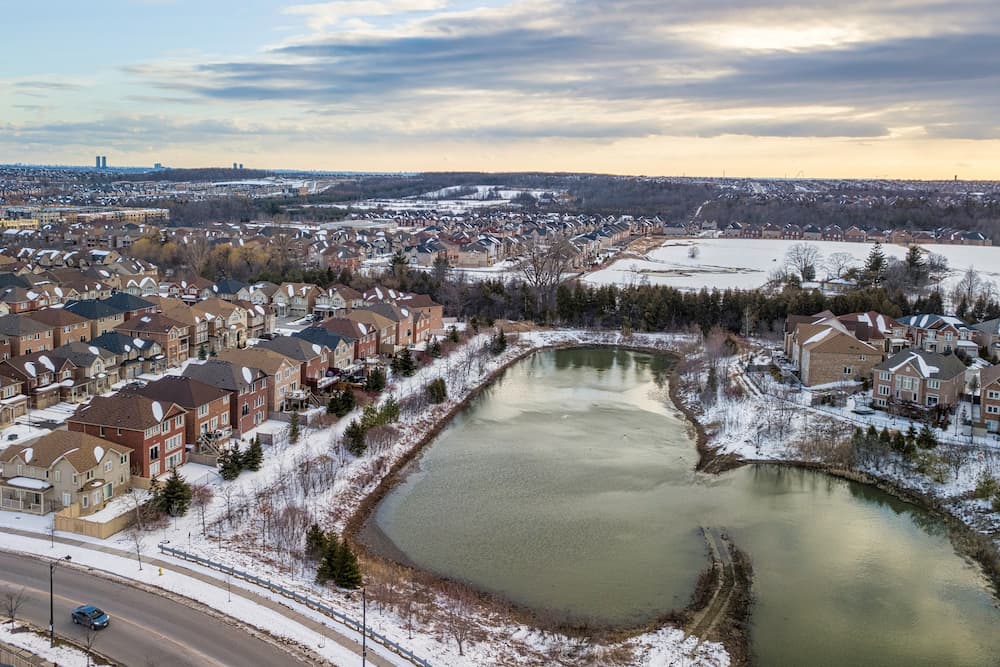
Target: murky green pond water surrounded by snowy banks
pixel 569 488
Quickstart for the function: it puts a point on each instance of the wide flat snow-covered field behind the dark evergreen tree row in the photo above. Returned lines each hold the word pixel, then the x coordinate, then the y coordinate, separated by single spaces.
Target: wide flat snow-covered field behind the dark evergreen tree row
pixel 746 263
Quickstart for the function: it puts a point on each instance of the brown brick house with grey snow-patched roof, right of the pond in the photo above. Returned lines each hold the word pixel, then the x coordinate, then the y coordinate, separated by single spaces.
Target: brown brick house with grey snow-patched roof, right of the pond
pixel 918 377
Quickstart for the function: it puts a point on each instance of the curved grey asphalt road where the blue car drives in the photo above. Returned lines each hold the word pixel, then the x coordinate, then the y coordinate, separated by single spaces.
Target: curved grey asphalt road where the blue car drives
pixel 146 629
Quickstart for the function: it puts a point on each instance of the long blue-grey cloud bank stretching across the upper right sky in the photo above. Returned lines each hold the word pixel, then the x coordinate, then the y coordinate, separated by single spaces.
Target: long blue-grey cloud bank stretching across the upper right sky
pixel 612 54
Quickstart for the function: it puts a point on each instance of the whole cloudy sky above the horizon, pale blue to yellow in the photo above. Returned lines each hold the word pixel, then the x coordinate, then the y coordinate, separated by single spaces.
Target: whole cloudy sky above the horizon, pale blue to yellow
pixel 852 88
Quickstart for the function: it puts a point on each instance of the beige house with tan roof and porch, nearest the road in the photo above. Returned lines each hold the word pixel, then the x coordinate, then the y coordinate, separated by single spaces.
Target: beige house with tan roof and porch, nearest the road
pixel 62 469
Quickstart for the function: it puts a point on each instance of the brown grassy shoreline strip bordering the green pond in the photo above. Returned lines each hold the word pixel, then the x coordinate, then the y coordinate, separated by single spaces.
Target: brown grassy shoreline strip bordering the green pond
pixel 965 539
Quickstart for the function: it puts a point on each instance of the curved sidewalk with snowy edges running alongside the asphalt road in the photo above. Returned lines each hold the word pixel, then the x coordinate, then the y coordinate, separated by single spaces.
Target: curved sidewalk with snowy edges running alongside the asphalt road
pixel 283 609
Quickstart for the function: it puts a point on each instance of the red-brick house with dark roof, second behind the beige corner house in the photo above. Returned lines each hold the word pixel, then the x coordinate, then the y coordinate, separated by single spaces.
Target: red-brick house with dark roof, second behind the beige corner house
pixel 206 425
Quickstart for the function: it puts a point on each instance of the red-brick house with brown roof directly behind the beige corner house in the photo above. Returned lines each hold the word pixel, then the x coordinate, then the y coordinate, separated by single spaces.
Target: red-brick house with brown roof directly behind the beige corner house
pixel 154 431
